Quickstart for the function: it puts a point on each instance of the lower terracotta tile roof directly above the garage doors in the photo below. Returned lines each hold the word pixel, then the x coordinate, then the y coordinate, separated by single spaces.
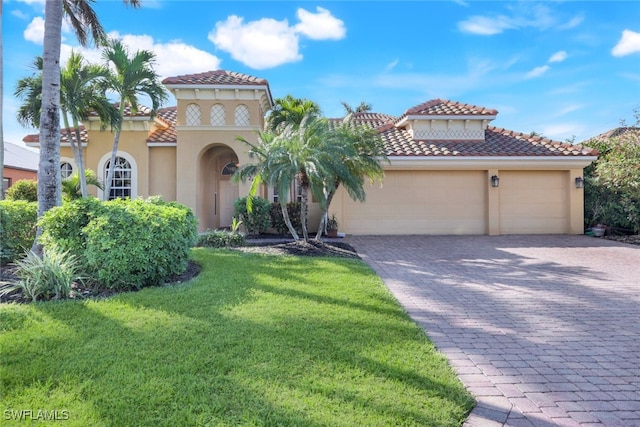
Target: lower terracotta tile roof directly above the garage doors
pixel 497 142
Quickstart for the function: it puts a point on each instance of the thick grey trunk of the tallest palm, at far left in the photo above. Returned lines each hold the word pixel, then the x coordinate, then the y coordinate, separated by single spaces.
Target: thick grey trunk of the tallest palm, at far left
pixel 49 190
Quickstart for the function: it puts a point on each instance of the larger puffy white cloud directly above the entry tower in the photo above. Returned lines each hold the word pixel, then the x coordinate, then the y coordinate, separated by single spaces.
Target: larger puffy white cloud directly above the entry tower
pixel 265 43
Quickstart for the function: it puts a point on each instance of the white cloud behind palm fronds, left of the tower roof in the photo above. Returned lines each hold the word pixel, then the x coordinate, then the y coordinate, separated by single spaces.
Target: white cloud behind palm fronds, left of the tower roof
pixel 172 58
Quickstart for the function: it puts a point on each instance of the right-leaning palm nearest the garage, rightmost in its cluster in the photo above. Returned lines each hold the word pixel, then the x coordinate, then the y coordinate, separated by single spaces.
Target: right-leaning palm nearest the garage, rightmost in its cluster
pixel 361 151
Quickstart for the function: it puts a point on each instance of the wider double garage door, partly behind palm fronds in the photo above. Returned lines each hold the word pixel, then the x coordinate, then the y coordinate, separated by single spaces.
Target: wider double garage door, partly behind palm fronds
pixel 421 202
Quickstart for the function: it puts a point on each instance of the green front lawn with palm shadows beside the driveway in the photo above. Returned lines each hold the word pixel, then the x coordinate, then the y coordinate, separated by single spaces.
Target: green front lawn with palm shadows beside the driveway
pixel 254 340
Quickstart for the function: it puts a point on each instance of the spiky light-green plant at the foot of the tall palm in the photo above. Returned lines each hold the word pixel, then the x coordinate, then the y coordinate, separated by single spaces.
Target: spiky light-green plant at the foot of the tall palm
pixel 49 277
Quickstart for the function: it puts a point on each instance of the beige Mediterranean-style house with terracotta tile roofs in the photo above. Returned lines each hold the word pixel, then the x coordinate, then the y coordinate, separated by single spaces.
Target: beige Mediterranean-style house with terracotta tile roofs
pixel 450 172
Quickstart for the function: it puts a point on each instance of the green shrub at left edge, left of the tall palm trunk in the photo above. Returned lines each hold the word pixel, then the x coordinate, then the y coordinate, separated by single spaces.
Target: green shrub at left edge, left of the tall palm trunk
pixel 17 228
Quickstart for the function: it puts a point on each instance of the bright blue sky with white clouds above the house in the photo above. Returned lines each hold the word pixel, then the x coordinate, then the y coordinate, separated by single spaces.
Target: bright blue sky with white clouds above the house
pixel 560 68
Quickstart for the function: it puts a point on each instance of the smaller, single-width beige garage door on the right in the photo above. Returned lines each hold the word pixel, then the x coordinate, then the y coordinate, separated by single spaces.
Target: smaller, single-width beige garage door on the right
pixel 533 202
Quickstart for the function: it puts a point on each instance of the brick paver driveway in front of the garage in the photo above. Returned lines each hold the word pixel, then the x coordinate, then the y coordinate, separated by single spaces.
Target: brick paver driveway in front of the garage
pixel 543 330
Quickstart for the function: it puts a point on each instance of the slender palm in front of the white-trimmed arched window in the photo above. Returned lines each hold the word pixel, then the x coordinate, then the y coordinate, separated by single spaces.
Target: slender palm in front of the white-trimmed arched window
pixel 133 76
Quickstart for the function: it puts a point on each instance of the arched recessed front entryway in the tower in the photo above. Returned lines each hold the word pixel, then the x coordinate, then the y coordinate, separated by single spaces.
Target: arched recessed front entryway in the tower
pixel 217 193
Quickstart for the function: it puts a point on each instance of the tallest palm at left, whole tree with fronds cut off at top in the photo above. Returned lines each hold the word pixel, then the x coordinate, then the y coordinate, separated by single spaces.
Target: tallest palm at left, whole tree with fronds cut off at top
pixel 81 16
